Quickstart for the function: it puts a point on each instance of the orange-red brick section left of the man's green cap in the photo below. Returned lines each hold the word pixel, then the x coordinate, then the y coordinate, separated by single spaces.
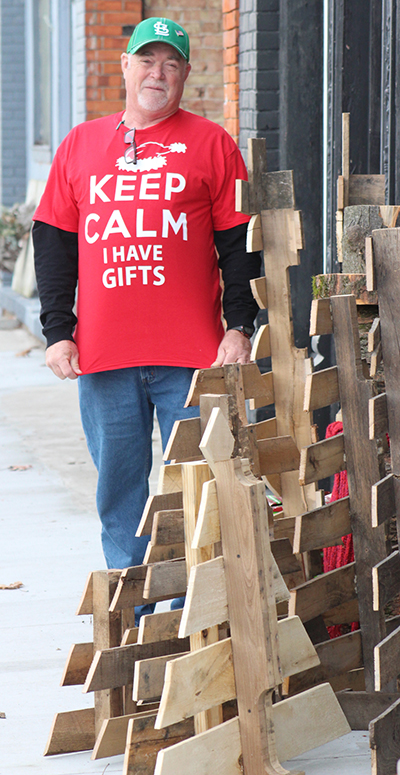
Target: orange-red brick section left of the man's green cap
pixel 108 28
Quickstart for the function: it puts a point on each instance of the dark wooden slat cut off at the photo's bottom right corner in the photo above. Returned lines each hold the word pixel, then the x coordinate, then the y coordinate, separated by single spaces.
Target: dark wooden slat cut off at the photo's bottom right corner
pixel 384 741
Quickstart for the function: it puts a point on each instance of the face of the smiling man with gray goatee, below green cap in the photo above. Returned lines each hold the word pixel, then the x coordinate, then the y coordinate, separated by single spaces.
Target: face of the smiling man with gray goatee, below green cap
pixel 154 79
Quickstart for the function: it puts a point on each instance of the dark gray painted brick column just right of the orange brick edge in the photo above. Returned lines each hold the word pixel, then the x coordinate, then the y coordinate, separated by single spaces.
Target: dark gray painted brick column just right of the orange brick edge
pixel 259 75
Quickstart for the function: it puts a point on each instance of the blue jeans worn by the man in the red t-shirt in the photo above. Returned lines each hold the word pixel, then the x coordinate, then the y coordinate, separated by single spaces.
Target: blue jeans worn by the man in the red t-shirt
pixel 117 410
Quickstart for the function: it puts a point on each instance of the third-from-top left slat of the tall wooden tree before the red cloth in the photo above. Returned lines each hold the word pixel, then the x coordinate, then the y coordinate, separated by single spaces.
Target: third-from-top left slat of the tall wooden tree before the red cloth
pixel 322 459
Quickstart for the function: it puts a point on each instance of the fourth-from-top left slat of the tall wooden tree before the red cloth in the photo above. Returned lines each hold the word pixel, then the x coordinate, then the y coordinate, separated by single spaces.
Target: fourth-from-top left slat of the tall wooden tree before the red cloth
pixel 322 527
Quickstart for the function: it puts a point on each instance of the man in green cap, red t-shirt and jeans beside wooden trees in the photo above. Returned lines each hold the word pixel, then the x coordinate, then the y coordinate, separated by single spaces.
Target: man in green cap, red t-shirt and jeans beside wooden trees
pixel 135 205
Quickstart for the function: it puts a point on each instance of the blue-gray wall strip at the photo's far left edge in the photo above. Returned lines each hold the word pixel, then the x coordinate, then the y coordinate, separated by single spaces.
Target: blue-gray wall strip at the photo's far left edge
pixel 13 107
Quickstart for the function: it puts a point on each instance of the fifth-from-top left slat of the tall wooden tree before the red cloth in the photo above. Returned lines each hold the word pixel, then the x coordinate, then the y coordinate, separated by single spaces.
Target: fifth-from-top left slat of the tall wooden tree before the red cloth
pixel 322 593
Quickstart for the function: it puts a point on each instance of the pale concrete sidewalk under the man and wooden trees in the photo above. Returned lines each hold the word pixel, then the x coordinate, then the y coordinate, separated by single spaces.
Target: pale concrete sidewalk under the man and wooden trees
pixel 50 539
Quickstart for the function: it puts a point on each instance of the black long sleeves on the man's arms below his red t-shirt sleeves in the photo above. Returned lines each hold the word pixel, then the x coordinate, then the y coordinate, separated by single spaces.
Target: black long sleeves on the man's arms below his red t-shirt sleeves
pixel 56 264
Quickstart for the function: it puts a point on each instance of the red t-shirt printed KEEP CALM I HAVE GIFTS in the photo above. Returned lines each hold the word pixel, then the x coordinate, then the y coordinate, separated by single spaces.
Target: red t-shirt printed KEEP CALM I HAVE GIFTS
pixel 149 291
